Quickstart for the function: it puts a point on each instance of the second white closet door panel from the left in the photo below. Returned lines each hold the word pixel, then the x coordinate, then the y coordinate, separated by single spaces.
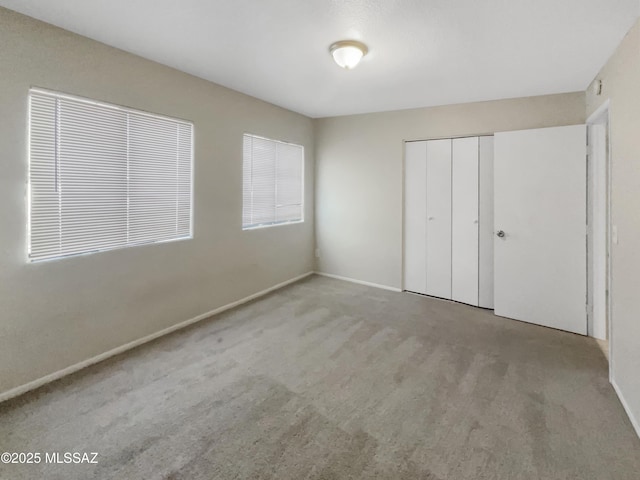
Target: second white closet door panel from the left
pixel 439 218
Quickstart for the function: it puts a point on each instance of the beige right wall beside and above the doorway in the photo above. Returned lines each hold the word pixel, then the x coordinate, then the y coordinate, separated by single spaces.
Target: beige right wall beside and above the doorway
pixel 621 85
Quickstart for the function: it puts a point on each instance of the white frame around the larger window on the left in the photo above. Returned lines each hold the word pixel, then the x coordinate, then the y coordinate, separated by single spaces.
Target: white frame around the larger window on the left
pixel 117 107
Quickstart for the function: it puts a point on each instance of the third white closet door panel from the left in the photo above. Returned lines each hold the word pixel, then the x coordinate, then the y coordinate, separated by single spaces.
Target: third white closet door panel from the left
pixel 464 265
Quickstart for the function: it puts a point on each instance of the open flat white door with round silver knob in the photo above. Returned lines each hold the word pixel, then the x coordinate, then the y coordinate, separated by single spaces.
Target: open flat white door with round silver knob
pixel 540 206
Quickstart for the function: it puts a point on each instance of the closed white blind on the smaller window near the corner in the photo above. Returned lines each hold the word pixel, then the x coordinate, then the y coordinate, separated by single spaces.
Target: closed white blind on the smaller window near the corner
pixel 273 182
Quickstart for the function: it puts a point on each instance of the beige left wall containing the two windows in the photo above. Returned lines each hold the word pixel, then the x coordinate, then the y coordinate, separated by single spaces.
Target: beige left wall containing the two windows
pixel 55 314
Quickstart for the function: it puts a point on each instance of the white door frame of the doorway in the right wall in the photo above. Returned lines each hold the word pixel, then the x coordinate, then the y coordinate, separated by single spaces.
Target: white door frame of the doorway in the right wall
pixel 601 116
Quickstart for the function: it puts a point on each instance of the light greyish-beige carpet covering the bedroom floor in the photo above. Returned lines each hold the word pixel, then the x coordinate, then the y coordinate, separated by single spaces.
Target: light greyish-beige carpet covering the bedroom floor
pixel 329 380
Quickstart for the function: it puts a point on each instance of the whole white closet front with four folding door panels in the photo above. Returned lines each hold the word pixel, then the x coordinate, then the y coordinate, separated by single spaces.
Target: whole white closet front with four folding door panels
pixel 448 235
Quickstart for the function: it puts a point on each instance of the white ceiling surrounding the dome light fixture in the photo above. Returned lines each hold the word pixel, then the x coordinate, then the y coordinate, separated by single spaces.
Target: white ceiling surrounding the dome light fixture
pixel 421 52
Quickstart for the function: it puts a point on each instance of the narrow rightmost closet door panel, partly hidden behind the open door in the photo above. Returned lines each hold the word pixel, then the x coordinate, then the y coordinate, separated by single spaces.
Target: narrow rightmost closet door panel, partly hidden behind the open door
pixel 486 232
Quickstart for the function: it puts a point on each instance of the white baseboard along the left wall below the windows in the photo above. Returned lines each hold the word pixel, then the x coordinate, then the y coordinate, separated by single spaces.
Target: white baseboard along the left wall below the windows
pixel 14 392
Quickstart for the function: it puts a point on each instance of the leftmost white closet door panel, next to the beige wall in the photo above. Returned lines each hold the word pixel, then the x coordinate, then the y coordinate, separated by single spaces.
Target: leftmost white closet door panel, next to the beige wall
pixel 415 213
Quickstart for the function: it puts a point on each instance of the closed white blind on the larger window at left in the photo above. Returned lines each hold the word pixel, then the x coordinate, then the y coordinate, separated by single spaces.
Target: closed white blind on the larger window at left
pixel 104 177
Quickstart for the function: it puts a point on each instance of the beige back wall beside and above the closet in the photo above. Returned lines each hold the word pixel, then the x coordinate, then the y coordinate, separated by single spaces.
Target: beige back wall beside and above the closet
pixel 359 174
